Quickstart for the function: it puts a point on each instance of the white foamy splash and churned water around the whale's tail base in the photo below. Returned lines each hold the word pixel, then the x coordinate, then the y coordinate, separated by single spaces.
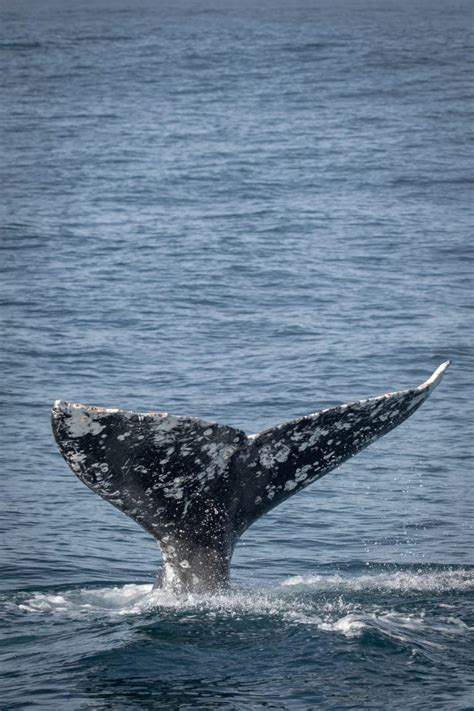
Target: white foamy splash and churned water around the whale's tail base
pixel 323 602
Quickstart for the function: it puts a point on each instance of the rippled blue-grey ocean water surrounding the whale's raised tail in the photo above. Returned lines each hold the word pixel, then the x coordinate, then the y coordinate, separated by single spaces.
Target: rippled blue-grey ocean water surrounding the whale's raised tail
pixel 243 212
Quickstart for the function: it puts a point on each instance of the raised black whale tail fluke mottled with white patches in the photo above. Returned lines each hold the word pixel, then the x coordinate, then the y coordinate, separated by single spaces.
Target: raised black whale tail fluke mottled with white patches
pixel 197 486
